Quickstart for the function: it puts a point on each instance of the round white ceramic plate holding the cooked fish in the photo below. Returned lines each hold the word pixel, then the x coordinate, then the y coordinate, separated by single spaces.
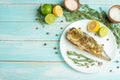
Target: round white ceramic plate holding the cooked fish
pixel 108 41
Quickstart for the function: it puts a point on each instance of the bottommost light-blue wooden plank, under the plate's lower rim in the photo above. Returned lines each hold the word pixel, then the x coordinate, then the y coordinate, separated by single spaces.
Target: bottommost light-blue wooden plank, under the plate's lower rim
pixel 53 71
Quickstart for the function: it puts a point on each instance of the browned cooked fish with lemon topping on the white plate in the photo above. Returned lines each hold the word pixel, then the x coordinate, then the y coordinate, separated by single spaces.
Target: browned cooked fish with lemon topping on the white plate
pixel 85 42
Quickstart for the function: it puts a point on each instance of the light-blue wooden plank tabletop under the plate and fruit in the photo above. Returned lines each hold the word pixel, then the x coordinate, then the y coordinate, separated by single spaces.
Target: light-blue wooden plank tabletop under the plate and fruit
pixel 30 52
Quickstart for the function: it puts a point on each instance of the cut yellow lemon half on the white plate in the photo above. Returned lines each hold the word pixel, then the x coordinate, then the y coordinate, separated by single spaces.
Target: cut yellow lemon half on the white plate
pixel 93 26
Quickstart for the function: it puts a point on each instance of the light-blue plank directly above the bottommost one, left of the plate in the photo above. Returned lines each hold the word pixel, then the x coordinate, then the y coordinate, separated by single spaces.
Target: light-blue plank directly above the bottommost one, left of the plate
pixel 30 51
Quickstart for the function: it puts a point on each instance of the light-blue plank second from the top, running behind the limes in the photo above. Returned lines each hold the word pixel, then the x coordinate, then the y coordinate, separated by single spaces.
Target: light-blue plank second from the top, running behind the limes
pixel 29 12
